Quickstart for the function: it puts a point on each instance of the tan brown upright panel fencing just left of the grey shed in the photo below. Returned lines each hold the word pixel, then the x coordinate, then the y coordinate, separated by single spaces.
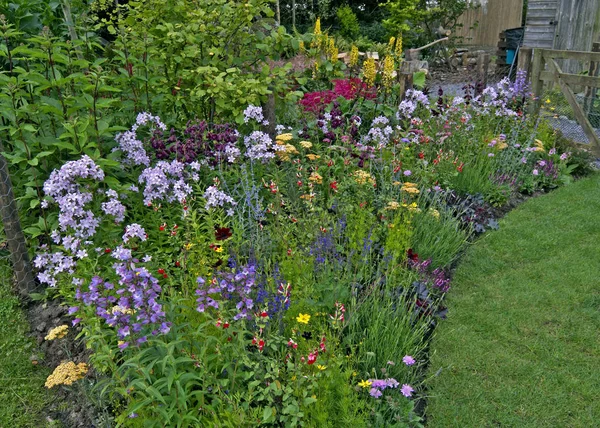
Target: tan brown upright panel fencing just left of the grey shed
pixel 482 26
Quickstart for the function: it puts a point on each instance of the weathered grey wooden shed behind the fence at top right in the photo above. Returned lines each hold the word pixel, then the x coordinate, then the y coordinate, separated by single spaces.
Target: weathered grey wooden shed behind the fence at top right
pixel 563 24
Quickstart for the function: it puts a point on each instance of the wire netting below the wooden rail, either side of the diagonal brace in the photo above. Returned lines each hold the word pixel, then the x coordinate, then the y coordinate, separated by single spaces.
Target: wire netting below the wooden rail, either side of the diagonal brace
pixel 559 113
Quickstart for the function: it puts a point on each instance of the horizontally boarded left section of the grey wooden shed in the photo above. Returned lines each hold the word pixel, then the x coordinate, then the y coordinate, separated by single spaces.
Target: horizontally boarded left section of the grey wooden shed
pixel 540 25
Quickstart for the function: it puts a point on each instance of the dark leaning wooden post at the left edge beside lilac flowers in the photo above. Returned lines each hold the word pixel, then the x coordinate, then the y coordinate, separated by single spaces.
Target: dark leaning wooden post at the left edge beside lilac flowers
pixel 14 234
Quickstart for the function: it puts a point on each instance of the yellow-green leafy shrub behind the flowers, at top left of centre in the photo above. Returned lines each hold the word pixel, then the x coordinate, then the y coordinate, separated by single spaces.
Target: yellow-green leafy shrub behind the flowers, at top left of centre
pixel 199 69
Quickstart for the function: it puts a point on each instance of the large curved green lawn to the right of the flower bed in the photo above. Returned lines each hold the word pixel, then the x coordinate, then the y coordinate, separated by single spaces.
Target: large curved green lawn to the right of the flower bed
pixel 521 346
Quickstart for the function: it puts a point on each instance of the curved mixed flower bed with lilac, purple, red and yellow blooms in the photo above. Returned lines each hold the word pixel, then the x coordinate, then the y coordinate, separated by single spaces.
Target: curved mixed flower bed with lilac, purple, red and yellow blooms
pixel 221 275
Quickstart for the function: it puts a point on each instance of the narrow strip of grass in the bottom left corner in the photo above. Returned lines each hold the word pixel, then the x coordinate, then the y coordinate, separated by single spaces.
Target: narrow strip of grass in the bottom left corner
pixel 22 393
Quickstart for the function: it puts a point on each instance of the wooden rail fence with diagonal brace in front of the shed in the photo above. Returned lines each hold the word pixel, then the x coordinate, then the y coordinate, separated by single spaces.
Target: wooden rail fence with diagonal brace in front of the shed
pixel 545 68
